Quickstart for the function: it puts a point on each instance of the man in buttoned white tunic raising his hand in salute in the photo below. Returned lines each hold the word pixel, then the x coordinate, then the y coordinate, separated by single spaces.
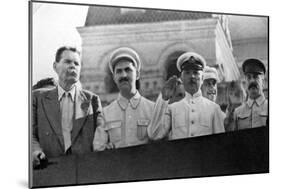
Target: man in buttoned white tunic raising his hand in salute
pixel 194 115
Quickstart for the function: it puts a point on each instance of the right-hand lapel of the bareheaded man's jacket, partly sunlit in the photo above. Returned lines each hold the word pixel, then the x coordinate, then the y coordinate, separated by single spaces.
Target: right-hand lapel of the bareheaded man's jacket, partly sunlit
pixel 83 108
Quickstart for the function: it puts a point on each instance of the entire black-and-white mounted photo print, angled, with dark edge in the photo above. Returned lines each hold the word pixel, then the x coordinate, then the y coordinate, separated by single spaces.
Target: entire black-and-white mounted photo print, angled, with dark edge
pixel 129 94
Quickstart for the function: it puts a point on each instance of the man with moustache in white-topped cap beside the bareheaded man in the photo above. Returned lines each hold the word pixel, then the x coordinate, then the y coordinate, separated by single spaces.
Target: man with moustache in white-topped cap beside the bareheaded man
pixel 125 119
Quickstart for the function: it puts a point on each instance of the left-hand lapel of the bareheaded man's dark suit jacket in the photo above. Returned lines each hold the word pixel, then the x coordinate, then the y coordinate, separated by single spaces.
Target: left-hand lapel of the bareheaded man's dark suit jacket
pixel 52 111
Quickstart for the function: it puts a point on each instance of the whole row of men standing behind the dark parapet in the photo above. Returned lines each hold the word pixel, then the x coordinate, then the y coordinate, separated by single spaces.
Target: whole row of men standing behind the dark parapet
pixel 67 119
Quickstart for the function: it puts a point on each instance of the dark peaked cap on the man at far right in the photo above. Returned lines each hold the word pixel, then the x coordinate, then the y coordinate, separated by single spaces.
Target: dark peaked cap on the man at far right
pixel 253 66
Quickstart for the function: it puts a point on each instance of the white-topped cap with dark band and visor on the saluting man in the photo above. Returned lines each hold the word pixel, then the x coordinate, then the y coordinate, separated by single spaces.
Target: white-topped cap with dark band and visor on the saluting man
pixel 190 61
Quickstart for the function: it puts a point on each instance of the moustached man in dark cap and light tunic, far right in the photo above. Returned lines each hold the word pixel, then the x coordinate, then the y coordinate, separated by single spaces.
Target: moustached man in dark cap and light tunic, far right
pixel 254 112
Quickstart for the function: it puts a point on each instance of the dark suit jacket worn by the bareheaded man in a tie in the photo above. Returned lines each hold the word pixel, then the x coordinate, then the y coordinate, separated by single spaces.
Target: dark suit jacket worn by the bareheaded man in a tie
pixel 46 122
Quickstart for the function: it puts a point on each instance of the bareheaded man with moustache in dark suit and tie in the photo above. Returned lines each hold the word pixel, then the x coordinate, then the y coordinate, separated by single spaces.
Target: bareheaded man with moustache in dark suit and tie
pixel 63 119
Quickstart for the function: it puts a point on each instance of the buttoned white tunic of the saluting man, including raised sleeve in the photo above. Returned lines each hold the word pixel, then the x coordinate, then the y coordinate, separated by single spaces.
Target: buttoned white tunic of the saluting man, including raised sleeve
pixel 192 116
